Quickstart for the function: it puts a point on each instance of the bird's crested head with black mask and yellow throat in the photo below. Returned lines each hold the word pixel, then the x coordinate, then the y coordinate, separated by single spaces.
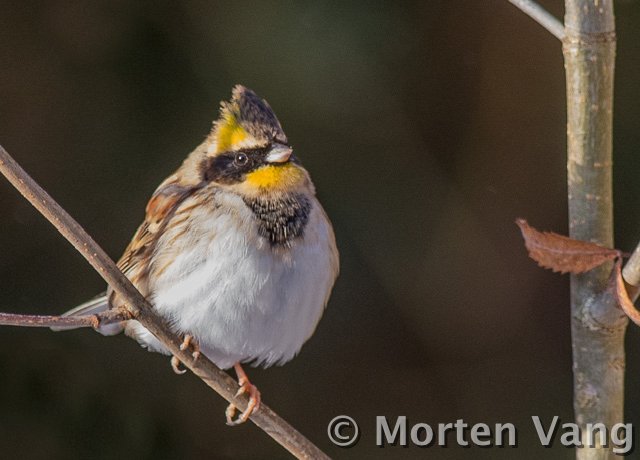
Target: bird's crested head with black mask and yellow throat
pixel 248 150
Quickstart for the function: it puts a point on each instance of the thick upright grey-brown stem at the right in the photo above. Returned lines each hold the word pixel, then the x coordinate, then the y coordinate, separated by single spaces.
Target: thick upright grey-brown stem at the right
pixel 598 326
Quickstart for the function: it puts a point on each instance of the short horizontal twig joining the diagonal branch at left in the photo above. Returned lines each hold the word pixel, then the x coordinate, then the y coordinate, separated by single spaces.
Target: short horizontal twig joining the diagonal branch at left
pixel 94 321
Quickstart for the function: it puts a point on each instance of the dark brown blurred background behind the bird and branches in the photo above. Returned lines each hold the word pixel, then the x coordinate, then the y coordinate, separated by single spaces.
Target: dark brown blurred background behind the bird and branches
pixel 428 127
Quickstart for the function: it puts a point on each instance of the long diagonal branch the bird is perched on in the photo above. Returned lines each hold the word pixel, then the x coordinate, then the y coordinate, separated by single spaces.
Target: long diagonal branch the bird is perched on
pixel 143 312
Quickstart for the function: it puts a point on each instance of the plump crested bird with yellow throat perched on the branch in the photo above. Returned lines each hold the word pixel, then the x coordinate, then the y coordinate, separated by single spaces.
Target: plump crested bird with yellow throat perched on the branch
pixel 235 252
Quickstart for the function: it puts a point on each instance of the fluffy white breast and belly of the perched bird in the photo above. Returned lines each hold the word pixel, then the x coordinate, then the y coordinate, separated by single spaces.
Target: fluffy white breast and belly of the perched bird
pixel 242 300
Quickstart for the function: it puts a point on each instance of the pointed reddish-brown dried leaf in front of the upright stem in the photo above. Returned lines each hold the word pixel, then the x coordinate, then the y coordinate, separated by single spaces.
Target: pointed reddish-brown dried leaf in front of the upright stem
pixel 561 253
